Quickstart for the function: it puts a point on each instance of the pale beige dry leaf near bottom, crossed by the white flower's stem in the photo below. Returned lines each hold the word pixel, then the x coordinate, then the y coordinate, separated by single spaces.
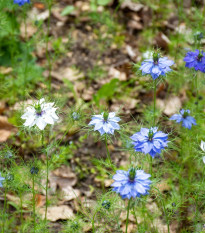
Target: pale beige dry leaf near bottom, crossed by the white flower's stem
pixel 57 212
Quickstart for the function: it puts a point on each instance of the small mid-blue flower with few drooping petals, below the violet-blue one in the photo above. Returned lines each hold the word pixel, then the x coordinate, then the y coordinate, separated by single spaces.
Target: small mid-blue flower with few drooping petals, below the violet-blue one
pixel 187 121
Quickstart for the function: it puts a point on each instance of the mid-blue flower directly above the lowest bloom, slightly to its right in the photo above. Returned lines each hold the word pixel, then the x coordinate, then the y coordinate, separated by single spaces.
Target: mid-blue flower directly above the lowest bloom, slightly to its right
pixel 149 141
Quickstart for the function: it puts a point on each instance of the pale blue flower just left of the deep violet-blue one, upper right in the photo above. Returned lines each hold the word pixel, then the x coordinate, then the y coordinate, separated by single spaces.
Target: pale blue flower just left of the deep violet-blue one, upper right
pixel 156 66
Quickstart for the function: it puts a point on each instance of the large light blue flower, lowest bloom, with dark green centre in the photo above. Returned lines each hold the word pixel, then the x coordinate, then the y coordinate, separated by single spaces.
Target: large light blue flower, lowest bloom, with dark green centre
pixel 132 183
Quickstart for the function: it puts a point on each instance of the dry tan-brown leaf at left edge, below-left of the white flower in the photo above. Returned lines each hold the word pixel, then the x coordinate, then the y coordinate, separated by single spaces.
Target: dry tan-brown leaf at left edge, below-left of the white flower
pixel 6 129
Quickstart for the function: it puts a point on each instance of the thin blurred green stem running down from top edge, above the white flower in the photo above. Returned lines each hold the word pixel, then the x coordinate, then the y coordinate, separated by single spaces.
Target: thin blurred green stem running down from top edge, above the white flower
pixel 47 40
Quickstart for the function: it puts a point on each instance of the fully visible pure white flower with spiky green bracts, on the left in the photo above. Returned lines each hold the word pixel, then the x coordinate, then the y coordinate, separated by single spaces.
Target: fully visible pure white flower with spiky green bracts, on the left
pixel 40 114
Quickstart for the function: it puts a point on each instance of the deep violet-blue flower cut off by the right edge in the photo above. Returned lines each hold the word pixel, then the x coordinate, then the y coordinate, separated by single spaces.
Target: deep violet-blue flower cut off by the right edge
pixel 195 60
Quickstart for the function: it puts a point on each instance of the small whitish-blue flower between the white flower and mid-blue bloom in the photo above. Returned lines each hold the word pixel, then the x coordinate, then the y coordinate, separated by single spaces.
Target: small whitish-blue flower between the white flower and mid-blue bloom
pixel 105 123
